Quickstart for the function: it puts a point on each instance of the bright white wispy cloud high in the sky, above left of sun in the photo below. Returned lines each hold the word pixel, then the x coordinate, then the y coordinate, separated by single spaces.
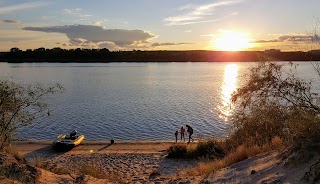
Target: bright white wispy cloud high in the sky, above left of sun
pixel 197 13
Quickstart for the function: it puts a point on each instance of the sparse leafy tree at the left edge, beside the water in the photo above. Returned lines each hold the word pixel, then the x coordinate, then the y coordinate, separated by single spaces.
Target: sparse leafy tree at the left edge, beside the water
pixel 20 105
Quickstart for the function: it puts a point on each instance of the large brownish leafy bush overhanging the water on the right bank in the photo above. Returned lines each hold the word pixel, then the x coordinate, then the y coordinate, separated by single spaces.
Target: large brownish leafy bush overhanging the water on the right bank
pixel 274 102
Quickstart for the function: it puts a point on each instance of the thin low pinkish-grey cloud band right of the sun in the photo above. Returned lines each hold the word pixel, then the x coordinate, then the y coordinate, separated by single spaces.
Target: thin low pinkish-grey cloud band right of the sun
pixel 292 38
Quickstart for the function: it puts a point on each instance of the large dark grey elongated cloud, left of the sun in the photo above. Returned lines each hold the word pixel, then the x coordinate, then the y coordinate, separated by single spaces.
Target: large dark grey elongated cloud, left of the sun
pixel 95 35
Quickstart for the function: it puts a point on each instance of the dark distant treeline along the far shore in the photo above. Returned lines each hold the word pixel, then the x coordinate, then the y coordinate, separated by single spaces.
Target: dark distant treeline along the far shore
pixel 15 55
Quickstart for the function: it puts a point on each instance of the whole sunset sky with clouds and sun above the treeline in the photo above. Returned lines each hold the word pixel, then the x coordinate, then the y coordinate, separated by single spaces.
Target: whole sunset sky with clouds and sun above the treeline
pixel 288 25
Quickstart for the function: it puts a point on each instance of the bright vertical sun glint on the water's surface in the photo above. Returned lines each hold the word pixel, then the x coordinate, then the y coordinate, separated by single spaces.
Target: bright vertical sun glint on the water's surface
pixel 229 85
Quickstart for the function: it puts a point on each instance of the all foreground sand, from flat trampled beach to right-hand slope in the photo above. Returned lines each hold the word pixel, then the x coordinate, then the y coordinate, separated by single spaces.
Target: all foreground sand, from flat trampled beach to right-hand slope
pixel 145 162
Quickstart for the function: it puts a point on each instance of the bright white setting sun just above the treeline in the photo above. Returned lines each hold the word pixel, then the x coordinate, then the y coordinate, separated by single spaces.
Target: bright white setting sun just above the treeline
pixel 232 41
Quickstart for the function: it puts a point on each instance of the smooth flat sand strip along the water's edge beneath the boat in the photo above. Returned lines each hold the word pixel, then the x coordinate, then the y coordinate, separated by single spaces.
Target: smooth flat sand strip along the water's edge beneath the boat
pixel 31 149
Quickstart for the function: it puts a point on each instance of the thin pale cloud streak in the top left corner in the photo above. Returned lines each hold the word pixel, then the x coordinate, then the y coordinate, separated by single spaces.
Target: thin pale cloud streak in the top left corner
pixel 22 6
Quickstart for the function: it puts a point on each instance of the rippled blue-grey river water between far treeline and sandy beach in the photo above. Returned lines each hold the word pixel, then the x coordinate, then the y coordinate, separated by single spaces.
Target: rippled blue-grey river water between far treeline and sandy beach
pixel 135 101
